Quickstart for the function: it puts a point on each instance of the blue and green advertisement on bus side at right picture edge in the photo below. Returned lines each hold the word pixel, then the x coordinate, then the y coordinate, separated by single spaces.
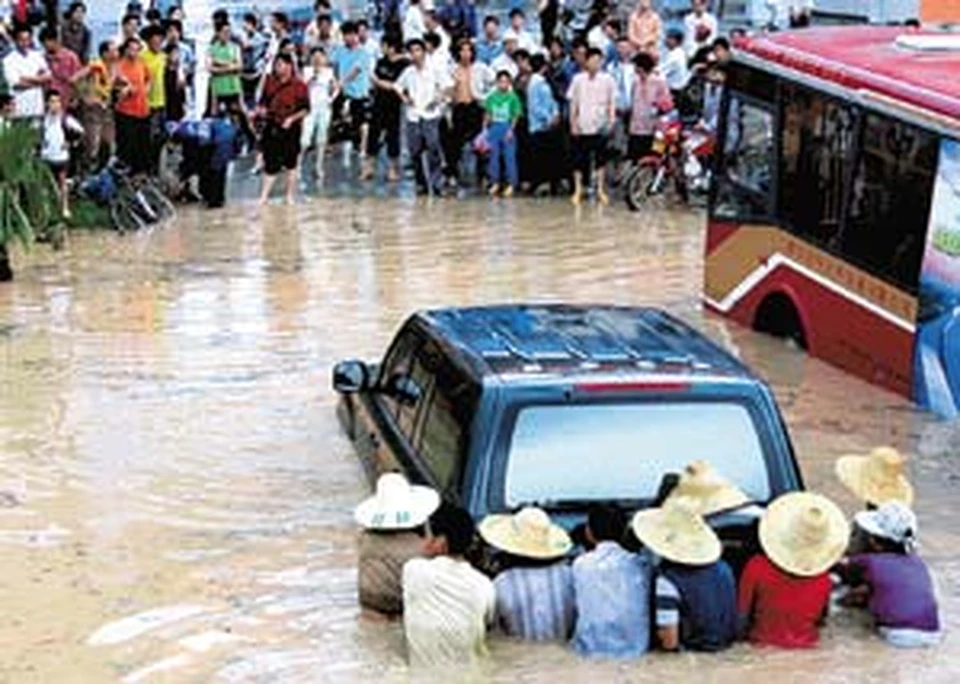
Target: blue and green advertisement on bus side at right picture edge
pixel 937 356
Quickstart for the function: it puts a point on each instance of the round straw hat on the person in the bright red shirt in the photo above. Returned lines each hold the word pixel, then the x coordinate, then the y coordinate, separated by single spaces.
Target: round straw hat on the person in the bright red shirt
pixel 804 533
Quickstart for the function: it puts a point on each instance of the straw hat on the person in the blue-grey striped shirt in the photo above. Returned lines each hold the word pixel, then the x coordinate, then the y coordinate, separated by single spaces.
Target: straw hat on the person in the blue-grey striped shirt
pixel 528 533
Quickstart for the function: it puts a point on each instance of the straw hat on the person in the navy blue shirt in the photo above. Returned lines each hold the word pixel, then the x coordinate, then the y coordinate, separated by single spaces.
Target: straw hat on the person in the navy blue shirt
pixel 677 532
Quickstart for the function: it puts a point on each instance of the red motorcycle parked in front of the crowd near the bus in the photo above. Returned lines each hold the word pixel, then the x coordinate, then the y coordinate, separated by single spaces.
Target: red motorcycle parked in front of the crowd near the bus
pixel 678 160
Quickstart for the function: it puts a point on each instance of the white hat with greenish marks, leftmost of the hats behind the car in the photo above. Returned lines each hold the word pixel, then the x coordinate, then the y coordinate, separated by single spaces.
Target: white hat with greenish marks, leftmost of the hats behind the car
pixel 397 505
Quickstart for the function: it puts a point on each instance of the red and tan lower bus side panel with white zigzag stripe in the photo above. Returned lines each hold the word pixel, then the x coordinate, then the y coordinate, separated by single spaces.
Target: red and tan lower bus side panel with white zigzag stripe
pixel 848 319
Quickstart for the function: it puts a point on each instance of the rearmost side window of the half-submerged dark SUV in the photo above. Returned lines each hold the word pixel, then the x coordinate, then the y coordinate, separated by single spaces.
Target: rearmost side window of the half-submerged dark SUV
pixel 446 424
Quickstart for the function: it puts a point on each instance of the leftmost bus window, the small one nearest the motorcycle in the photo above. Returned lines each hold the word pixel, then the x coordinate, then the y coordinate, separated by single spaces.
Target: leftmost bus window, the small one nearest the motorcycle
pixel 745 172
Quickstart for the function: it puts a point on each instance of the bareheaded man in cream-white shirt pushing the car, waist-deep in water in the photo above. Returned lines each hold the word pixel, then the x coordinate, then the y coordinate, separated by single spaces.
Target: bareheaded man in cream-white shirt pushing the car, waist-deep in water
pixel 447 604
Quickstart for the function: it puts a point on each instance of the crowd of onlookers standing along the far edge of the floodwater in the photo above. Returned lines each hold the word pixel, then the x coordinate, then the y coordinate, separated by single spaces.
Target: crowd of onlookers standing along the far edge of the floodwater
pixel 538 110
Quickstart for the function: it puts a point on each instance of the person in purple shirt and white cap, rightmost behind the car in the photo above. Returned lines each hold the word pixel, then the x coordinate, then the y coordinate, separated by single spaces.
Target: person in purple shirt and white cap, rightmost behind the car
pixel 892 581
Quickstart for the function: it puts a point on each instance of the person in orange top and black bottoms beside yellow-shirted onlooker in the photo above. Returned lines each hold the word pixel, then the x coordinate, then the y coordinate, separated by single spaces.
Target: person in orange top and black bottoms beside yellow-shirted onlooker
pixel 131 111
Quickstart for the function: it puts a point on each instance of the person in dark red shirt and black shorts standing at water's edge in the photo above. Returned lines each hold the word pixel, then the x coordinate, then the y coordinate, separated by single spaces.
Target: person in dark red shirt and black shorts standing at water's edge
pixel 284 104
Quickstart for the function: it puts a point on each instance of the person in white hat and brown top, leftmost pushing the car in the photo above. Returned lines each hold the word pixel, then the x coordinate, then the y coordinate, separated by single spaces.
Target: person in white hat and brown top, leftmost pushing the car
pixel 389 520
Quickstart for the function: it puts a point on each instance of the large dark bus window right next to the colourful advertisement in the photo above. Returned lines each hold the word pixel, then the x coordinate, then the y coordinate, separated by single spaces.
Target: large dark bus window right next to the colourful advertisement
pixel 890 199
